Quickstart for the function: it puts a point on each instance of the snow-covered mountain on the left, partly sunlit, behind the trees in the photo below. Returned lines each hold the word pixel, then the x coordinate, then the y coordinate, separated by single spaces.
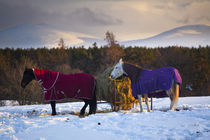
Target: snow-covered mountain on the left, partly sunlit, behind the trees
pixel 42 35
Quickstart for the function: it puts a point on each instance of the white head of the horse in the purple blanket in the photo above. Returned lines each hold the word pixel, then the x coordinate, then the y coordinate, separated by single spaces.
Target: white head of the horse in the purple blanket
pixel 118 70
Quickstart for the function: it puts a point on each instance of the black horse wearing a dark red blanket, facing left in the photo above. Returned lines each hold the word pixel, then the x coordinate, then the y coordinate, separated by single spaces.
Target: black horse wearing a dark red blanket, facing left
pixel 57 86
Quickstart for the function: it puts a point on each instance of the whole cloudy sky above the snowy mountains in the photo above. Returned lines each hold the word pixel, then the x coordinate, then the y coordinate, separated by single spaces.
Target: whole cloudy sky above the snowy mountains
pixel 127 19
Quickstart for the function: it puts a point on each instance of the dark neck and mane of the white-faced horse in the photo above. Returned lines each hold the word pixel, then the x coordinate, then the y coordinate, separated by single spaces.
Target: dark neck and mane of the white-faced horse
pixel 132 70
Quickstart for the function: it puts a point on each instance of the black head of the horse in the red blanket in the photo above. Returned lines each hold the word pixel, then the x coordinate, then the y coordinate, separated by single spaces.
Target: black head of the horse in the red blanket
pixel 28 76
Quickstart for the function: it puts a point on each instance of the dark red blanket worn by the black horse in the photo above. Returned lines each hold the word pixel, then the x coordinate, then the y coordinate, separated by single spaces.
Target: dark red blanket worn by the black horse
pixel 58 86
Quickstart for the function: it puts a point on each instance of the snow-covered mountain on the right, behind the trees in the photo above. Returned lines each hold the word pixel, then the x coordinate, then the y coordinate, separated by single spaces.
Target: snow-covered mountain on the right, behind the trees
pixel 190 35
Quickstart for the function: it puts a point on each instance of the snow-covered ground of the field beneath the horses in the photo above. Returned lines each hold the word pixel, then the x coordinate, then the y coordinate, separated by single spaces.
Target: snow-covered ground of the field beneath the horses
pixel 34 122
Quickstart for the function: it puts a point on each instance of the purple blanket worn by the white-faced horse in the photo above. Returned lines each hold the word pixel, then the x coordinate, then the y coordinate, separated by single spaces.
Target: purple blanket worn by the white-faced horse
pixel 151 81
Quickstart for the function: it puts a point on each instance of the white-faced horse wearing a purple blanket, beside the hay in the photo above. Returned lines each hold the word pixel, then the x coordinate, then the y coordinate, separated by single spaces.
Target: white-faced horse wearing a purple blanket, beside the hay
pixel 150 83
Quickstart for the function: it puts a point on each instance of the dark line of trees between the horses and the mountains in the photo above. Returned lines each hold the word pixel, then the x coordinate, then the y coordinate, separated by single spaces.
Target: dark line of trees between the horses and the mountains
pixel 192 63
